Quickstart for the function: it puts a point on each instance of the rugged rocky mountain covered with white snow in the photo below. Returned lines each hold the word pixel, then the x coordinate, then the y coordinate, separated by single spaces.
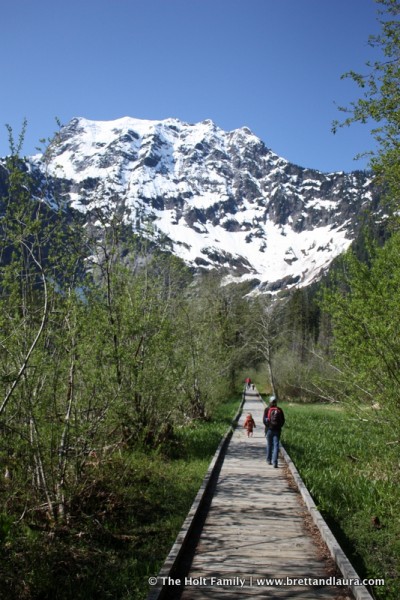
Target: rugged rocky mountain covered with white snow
pixel 221 199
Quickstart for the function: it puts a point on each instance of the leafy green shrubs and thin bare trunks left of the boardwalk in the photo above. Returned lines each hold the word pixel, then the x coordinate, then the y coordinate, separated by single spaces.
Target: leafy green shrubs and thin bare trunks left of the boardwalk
pixel 105 344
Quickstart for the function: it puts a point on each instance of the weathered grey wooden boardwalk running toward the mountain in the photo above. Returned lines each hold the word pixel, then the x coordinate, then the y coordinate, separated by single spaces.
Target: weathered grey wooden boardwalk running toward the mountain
pixel 256 529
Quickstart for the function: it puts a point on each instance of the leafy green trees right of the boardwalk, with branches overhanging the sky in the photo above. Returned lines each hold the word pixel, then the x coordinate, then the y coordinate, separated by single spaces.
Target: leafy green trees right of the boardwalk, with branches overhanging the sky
pixel 350 323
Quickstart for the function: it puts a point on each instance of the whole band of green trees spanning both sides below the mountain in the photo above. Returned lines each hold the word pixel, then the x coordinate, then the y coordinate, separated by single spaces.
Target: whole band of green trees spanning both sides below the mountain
pixel 110 343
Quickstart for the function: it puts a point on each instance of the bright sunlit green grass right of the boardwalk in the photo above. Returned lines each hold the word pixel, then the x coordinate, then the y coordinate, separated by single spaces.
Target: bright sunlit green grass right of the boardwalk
pixel 352 470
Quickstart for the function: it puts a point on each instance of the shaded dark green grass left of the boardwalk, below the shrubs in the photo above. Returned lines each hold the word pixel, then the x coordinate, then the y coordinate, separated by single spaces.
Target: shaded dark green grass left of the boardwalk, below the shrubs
pixel 122 526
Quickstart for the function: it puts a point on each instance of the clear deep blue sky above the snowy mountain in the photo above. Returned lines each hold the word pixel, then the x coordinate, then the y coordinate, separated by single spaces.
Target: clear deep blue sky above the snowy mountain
pixel 271 65
